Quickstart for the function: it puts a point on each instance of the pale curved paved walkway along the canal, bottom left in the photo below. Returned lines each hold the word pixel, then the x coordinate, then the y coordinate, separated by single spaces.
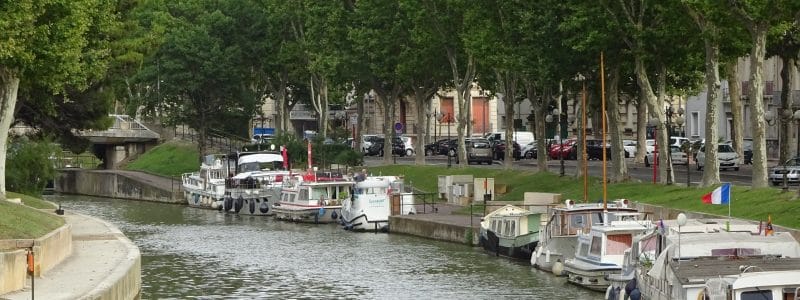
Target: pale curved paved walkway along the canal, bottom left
pixel 101 255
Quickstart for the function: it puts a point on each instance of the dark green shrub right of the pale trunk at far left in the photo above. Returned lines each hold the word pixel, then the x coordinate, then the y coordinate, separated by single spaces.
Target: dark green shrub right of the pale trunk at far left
pixel 28 165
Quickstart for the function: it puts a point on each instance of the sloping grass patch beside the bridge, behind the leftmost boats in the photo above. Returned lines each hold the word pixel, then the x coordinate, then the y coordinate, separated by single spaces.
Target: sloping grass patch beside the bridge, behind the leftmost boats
pixel 169 159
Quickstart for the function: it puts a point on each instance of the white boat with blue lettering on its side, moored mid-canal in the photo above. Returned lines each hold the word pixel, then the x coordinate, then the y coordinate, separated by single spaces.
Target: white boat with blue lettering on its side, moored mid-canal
pixel 372 203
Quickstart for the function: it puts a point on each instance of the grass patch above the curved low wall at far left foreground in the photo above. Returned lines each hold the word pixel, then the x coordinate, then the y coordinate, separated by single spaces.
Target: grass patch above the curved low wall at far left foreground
pixel 26 221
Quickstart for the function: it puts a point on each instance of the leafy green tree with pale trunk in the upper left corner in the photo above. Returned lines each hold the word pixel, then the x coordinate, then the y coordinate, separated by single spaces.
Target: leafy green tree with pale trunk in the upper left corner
pixel 48 42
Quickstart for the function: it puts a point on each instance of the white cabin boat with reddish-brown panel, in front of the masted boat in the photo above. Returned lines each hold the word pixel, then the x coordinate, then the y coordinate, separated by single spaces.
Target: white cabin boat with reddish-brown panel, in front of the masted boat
pixel 601 252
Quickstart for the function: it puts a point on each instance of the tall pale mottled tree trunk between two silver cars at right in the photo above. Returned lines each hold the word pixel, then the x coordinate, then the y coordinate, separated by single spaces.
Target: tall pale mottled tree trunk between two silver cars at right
pixel 759 36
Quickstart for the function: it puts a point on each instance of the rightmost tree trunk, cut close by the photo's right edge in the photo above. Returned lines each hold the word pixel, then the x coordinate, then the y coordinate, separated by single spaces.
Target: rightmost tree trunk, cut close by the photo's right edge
pixel 787 77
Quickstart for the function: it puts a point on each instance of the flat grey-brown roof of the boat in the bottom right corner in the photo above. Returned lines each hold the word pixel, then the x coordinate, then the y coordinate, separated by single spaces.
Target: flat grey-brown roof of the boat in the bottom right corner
pixel 697 271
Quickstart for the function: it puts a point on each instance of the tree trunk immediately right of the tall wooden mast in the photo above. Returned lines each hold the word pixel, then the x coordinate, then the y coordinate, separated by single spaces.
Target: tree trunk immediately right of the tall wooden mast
pixel 619 170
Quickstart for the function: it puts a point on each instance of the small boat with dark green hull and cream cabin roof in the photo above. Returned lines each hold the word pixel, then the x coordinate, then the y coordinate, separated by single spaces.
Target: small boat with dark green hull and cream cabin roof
pixel 510 231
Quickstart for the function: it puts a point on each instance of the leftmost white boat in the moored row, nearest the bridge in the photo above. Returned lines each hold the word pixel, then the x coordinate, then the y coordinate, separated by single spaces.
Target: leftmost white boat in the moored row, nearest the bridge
pixel 206 188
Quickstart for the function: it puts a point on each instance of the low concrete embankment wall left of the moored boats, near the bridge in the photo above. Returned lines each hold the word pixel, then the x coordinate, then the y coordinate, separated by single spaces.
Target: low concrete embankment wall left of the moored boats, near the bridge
pixel 102 183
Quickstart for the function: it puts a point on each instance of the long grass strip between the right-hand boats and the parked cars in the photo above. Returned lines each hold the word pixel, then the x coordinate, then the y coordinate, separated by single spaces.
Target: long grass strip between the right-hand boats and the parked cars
pixel 747 203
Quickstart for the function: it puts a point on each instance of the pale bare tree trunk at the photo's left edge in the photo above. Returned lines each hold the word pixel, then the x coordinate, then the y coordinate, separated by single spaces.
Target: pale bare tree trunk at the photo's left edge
pixel 9 86
